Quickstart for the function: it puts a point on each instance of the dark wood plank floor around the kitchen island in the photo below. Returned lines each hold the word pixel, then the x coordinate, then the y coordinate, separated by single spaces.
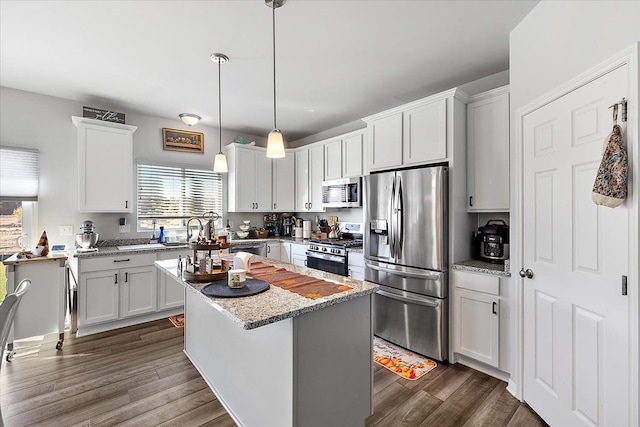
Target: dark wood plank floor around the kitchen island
pixel 139 376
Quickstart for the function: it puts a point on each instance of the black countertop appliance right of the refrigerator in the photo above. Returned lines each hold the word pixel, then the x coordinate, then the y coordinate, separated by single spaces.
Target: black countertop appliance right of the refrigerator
pixel 491 243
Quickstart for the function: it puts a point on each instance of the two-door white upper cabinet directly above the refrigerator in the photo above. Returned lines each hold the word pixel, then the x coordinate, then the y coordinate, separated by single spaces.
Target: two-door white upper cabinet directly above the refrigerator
pixel 412 134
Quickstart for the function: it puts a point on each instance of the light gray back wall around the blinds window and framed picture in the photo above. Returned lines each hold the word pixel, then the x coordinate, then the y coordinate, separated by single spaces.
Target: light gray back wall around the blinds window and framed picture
pixel 43 122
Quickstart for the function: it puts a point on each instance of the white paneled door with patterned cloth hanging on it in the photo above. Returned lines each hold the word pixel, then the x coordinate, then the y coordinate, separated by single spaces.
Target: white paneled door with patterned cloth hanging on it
pixel 576 321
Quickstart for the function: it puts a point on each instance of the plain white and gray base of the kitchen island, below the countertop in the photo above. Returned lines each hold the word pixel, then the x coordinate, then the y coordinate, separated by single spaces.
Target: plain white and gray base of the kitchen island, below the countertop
pixel 310 370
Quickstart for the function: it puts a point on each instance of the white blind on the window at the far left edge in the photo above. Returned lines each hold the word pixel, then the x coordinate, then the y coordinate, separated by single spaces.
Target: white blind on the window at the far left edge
pixel 19 174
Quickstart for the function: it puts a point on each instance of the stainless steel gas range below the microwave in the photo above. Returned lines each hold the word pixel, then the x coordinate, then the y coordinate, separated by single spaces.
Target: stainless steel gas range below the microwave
pixel 331 255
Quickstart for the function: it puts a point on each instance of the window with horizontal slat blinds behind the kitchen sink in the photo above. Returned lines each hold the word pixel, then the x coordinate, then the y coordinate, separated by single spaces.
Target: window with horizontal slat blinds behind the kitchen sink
pixel 171 195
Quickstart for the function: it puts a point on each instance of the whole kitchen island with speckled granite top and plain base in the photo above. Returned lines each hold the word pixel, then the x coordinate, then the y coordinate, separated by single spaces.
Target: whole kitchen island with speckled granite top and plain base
pixel 283 359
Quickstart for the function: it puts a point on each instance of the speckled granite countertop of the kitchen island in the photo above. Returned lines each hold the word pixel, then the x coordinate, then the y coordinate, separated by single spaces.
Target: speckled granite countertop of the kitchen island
pixel 276 303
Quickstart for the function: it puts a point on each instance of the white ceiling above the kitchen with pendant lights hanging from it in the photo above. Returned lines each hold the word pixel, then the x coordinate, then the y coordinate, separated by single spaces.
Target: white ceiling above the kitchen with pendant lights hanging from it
pixel 337 61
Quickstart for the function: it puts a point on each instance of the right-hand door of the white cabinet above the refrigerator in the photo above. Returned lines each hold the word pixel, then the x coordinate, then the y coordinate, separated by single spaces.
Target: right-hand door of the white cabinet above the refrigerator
pixel 425 133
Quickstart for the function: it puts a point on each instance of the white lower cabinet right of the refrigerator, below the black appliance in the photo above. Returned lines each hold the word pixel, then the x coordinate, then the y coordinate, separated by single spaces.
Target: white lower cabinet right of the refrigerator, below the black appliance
pixel 476 323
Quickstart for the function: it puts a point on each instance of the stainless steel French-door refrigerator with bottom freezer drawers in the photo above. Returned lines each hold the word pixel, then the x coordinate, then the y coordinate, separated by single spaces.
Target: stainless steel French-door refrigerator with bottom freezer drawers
pixel 405 247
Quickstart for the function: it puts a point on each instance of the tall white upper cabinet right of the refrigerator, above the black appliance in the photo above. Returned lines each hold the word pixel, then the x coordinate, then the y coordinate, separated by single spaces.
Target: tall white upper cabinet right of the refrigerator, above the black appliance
pixel 488 151
